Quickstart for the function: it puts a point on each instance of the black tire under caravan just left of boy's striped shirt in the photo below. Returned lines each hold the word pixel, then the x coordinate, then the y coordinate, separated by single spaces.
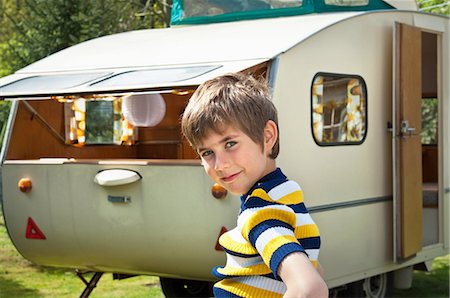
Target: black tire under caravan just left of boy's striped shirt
pixel 173 287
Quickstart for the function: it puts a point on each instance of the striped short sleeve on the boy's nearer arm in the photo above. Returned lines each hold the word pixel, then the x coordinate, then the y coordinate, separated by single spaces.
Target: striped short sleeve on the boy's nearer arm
pixel 270 229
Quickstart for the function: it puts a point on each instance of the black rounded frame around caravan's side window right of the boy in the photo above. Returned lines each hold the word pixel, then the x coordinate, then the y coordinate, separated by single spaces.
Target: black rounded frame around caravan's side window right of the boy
pixel 366 121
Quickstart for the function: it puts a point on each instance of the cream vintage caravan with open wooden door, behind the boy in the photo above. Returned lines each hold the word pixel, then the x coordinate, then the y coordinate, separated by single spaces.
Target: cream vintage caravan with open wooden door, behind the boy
pixel 97 177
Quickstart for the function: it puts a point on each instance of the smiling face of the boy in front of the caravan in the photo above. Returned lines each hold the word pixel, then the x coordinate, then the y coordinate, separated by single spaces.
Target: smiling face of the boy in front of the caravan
pixel 234 160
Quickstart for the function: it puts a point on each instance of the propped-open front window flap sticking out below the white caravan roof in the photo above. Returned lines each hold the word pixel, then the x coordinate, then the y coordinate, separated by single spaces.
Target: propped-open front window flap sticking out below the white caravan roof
pixel 44 85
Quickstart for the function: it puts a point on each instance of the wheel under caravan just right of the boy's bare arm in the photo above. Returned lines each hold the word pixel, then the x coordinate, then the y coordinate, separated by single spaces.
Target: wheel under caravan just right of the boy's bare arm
pixel 378 286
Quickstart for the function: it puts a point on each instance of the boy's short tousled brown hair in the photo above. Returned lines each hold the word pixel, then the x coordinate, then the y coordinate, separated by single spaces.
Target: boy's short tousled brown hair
pixel 231 99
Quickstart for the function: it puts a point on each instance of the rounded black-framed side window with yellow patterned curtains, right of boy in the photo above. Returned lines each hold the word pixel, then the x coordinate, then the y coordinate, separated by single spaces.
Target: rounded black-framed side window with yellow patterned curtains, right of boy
pixel 339 109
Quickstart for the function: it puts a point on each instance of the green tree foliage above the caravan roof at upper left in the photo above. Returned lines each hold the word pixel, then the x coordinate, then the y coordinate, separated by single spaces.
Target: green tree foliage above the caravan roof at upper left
pixel 37 28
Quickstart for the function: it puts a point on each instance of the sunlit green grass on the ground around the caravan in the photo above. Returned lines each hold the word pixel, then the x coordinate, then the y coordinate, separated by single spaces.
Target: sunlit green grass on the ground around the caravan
pixel 20 278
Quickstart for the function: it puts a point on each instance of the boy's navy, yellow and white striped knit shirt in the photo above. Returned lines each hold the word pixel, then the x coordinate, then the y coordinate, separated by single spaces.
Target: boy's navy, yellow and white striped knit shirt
pixel 273 222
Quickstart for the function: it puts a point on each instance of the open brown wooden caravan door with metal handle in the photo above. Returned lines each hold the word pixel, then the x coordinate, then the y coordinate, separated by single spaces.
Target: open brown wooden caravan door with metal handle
pixel 407 148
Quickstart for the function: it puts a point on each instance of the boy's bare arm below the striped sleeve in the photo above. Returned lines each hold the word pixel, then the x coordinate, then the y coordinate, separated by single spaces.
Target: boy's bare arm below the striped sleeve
pixel 301 278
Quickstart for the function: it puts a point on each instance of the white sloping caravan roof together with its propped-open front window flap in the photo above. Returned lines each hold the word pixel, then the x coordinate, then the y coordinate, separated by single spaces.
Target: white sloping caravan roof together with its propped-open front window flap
pixel 212 49
